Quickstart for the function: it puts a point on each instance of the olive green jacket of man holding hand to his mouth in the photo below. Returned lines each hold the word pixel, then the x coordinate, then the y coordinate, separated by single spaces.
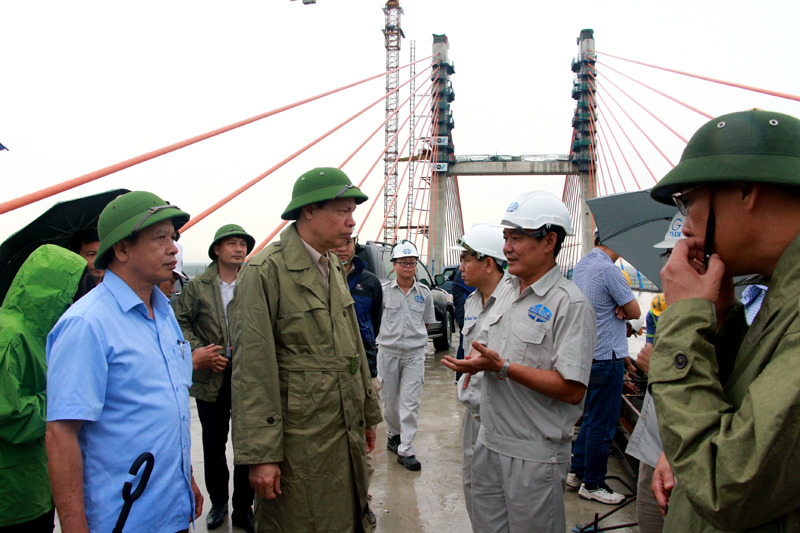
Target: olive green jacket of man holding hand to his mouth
pixel 728 405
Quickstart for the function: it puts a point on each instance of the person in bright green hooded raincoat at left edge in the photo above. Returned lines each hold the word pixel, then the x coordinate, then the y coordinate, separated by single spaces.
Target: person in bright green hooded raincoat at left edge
pixel 46 284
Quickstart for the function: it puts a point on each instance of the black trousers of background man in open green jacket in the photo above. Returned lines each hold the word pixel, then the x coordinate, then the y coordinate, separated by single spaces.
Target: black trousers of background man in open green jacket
pixel 215 418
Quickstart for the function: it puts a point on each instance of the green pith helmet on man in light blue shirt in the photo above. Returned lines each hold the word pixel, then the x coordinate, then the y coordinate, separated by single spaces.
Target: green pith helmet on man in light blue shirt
pixel 128 213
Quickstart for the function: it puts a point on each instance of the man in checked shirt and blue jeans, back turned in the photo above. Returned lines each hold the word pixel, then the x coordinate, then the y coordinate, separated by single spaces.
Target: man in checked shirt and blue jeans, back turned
pixel 603 284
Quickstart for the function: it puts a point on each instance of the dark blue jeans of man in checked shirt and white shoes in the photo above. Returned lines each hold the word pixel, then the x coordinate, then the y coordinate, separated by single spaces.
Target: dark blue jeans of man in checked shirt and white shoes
pixel 603 402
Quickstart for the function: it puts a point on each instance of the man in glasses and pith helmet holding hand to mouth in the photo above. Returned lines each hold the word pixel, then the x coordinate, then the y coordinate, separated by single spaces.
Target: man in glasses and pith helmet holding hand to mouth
pixel 728 395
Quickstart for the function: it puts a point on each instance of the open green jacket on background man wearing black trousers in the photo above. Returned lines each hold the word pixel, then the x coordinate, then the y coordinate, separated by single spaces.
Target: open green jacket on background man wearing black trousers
pixel 201 316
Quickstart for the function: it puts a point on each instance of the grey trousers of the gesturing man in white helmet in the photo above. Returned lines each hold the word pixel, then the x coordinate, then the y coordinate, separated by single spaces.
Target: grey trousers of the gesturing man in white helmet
pixel 515 496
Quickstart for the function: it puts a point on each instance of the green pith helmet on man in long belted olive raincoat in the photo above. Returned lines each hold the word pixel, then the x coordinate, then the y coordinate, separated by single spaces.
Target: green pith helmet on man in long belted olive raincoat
pixel 319 185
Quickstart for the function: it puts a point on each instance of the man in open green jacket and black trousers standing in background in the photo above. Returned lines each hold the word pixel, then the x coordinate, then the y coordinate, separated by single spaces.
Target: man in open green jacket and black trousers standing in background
pixel 202 313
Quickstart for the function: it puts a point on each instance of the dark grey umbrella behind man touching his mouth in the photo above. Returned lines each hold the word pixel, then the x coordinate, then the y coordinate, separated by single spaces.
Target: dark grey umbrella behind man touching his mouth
pixel 631 223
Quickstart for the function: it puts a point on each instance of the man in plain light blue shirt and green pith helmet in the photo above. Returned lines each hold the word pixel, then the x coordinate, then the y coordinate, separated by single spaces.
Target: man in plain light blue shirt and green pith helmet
pixel 118 381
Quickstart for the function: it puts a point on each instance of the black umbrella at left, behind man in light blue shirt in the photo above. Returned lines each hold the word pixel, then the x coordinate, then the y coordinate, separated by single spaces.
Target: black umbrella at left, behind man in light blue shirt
pixel 54 226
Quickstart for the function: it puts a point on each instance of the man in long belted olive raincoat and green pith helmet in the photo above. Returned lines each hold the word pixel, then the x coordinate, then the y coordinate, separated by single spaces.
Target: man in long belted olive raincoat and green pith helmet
pixel 303 403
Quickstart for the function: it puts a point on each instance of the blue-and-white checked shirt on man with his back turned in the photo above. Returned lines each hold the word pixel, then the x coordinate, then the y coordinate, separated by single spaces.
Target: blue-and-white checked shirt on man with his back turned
pixel 602 282
